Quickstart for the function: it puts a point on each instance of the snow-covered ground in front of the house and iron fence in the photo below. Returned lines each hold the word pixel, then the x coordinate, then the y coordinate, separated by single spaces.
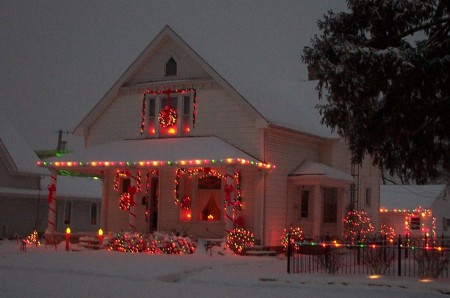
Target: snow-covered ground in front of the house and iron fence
pixel 42 271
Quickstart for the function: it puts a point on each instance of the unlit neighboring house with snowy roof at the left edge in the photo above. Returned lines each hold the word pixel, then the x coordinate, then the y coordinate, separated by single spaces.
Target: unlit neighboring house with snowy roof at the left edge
pixel 24 195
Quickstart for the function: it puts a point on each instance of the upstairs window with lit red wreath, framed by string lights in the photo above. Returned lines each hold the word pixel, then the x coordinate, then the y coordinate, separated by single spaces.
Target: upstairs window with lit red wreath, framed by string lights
pixel 181 102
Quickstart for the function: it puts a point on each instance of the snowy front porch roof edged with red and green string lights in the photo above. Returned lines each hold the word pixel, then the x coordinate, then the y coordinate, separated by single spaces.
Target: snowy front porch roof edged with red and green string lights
pixel 186 151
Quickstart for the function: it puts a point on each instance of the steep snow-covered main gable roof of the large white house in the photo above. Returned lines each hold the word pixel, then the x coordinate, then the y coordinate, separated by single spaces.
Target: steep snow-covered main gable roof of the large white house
pixel 269 82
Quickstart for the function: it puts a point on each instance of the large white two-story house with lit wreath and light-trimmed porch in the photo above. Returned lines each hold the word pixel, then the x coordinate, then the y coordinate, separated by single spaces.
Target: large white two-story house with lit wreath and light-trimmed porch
pixel 199 146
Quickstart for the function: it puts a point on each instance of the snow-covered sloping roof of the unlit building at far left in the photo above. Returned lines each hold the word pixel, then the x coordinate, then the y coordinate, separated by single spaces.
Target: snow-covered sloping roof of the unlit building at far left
pixel 21 157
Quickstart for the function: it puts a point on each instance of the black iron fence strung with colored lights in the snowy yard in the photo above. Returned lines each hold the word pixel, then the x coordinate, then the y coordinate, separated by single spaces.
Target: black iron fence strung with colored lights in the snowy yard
pixel 411 258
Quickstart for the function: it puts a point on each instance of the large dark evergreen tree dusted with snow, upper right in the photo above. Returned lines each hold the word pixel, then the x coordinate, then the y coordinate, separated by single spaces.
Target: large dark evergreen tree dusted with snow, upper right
pixel 383 69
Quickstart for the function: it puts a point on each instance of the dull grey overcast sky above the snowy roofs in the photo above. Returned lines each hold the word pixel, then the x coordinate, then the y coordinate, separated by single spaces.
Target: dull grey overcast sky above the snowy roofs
pixel 58 58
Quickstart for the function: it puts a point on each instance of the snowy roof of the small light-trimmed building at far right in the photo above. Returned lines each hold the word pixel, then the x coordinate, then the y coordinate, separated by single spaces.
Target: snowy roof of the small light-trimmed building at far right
pixel 409 197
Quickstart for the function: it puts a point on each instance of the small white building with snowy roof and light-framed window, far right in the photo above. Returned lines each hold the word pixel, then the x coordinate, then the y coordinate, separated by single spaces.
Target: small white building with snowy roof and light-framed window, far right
pixel 416 210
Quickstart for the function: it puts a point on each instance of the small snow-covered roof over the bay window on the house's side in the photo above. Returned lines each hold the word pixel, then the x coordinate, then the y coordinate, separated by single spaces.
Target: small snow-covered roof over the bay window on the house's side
pixel 310 169
